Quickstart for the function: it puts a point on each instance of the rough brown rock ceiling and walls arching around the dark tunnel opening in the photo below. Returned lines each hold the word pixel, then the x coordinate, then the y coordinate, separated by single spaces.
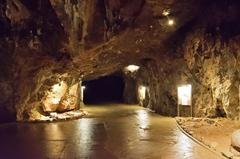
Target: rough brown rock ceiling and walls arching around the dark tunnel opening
pixel 43 42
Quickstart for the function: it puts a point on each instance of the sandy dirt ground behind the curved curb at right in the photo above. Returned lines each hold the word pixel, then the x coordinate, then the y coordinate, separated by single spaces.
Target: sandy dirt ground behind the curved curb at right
pixel 209 131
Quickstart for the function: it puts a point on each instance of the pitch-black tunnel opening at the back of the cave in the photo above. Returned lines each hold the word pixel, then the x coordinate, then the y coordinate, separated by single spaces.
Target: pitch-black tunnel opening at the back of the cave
pixel 108 89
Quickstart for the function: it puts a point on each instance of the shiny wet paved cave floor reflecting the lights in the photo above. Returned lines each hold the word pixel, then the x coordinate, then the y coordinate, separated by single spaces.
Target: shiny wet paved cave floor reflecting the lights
pixel 108 132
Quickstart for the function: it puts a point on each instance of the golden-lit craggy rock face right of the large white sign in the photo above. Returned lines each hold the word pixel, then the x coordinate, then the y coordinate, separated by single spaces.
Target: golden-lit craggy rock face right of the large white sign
pixel 214 65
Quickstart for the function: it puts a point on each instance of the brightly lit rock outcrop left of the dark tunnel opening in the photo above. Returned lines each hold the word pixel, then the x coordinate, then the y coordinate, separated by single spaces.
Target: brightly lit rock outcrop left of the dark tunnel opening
pixel 59 93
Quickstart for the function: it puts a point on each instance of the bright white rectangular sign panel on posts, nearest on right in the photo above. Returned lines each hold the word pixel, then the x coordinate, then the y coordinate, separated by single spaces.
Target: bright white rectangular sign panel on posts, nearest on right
pixel 185 95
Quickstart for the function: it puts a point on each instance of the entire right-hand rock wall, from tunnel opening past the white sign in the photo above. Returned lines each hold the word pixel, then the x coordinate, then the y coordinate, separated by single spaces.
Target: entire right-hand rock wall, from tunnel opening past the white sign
pixel 210 64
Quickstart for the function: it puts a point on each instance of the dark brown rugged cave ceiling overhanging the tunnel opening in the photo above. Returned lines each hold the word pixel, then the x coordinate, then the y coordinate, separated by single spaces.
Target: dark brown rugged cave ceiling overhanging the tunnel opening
pixel 92 38
